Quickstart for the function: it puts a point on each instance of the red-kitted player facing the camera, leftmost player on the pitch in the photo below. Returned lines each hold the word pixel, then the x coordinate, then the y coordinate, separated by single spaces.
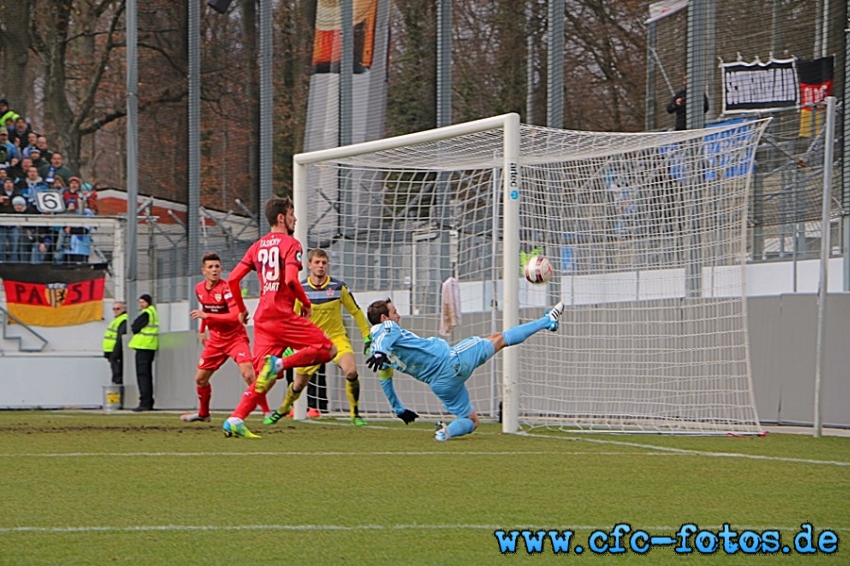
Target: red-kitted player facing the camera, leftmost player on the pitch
pixel 228 338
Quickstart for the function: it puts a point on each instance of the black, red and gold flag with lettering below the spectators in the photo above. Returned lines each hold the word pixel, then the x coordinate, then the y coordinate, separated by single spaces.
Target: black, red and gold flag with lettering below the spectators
pixel 54 295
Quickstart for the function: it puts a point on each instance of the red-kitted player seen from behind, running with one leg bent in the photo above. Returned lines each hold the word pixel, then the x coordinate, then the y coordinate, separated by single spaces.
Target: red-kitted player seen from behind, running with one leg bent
pixel 276 257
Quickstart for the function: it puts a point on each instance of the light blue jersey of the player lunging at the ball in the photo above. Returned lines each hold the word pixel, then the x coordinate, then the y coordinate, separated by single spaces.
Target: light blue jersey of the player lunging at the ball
pixel 421 358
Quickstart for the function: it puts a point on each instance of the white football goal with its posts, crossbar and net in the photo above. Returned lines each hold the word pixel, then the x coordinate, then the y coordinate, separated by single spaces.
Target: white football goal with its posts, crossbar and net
pixel 645 232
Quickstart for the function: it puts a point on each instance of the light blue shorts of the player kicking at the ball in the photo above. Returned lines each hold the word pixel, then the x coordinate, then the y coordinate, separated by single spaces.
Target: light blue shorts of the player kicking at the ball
pixel 450 385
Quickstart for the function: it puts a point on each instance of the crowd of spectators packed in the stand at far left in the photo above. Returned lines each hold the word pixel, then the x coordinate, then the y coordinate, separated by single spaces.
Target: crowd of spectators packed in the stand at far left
pixel 35 180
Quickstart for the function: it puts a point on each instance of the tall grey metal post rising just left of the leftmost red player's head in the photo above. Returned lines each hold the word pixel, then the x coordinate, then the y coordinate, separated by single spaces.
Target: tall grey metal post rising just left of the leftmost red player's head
pixel 194 149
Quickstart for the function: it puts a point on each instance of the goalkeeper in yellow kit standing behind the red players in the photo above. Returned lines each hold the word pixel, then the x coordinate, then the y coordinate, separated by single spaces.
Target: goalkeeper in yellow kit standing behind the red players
pixel 328 296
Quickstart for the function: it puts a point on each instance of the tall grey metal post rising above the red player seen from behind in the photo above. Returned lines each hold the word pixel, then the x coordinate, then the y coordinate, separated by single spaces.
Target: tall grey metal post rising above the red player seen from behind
pixel 266 105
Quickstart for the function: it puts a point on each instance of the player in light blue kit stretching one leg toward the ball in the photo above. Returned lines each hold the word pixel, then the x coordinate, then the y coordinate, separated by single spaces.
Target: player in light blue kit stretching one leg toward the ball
pixel 444 368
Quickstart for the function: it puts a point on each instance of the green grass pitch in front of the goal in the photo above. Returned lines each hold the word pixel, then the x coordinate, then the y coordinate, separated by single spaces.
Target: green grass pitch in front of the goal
pixel 87 488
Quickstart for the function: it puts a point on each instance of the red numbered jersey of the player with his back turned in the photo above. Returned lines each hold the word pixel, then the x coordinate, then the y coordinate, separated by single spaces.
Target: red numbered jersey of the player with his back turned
pixel 269 257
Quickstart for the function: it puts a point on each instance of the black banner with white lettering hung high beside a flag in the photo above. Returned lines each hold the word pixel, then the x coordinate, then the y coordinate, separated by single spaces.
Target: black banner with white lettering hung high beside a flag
pixel 757 86
